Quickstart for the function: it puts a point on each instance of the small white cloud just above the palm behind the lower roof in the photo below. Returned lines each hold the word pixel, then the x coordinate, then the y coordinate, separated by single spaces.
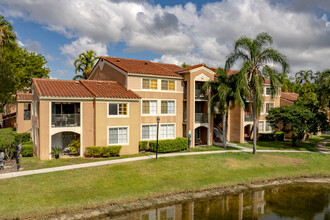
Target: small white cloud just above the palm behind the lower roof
pixel 71 51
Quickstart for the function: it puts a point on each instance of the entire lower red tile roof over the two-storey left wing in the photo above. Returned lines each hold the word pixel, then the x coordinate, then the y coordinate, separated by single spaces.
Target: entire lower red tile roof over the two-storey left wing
pixel 82 89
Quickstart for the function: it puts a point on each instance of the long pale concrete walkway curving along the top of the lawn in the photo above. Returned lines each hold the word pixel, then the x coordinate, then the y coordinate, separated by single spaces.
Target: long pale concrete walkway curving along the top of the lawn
pixel 132 159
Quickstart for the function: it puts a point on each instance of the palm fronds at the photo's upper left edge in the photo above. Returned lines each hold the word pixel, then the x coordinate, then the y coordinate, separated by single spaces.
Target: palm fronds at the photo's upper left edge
pixel 7 35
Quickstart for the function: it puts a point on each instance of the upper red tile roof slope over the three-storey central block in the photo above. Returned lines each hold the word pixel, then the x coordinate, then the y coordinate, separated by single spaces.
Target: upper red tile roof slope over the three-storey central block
pixel 144 66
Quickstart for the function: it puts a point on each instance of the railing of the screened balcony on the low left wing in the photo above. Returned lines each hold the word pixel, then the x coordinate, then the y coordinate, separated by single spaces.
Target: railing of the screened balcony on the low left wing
pixel 65 120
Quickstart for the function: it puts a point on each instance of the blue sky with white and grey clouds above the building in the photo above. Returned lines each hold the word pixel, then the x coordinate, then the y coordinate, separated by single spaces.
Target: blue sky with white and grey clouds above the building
pixel 169 31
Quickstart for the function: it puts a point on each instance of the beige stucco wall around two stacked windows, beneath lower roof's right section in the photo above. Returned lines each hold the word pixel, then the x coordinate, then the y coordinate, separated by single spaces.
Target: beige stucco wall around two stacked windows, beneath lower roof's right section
pixel 132 122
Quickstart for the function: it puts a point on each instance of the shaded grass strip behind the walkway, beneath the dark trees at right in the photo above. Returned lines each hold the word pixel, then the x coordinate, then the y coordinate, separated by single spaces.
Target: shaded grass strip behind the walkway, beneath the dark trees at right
pixel 287 145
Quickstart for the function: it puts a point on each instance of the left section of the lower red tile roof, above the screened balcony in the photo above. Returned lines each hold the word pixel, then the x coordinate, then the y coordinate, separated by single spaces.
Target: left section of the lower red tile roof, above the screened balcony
pixel 61 88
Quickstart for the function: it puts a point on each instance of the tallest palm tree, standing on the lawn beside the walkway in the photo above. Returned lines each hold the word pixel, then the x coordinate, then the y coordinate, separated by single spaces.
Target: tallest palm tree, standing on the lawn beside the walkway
pixel 255 55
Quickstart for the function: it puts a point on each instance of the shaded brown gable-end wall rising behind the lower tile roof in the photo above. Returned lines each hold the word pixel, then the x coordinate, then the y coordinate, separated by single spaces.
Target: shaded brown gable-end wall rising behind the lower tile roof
pixel 103 71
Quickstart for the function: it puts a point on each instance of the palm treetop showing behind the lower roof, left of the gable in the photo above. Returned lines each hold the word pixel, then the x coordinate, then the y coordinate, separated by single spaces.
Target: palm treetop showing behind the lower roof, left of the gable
pixel 84 64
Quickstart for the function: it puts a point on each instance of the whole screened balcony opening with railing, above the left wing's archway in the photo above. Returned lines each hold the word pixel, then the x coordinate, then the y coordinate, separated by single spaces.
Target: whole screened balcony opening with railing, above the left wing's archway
pixel 65 114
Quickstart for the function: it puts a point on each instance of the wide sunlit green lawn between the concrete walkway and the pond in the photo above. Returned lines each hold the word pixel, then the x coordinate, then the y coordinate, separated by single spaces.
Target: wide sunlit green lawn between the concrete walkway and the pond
pixel 75 189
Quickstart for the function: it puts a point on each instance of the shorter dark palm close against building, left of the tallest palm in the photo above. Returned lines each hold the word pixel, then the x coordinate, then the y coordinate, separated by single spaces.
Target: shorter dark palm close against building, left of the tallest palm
pixel 226 91
